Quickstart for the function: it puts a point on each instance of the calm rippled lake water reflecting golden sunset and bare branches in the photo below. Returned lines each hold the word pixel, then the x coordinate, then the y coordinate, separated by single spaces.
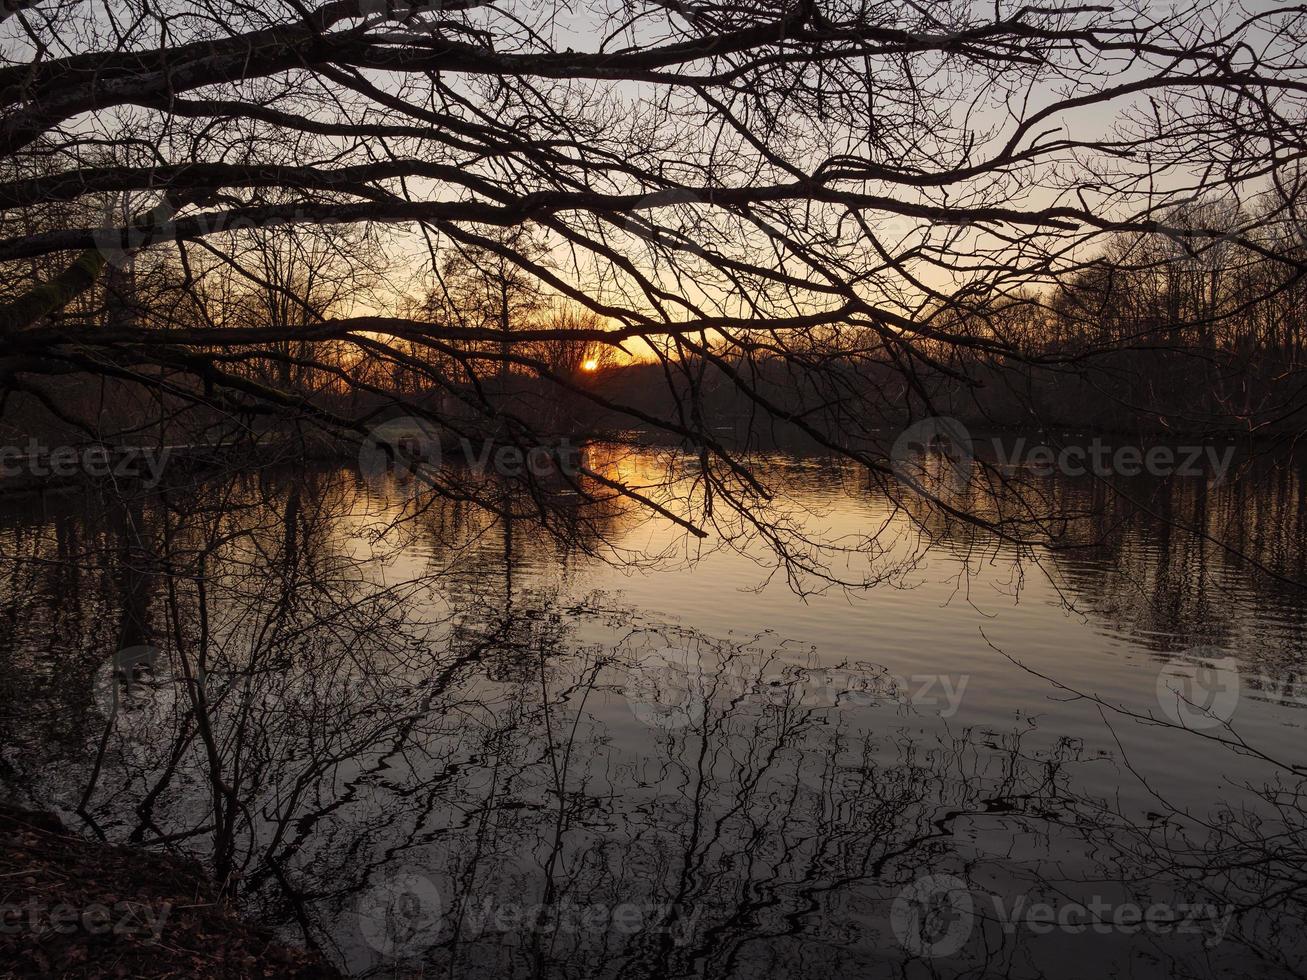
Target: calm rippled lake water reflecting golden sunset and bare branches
pixel 438 742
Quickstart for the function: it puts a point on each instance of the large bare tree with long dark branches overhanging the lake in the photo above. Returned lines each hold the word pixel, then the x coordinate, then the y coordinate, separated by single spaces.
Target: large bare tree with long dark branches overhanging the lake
pixel 832 214
